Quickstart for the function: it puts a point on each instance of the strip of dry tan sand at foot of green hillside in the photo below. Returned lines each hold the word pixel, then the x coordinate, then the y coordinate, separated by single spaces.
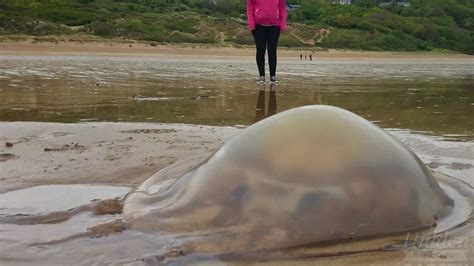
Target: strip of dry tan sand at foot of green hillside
pixel 130 48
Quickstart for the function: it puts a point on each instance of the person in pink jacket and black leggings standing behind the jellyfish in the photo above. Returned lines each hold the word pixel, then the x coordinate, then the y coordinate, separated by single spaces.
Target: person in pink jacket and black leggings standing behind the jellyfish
pixel 266 19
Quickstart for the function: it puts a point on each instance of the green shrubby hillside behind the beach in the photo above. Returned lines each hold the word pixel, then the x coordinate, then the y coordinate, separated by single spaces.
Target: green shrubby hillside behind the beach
pixel 424 25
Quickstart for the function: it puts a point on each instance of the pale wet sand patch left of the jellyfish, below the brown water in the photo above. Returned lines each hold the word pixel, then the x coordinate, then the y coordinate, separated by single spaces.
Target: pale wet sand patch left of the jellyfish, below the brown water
pixel 126 154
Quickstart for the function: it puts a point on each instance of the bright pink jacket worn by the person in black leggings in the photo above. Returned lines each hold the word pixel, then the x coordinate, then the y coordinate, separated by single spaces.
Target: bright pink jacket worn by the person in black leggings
pixel 266 12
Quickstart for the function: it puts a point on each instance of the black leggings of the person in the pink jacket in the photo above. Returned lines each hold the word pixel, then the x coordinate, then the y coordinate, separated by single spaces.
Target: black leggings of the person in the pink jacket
pixel 266 37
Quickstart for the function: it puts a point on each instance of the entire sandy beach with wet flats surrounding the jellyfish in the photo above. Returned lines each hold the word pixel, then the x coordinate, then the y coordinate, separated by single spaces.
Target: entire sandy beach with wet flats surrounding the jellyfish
pixel 121 155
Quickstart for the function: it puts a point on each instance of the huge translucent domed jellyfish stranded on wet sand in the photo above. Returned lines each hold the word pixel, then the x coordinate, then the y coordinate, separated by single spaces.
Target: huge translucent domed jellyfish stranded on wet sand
pixel 308 175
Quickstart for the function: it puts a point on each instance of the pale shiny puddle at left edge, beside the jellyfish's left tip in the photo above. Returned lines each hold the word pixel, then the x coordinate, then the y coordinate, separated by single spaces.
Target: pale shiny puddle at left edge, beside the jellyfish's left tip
pixel 52 213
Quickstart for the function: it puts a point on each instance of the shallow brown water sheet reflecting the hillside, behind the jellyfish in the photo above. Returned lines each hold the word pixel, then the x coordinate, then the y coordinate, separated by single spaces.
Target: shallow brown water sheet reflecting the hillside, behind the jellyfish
pixel 433 98
